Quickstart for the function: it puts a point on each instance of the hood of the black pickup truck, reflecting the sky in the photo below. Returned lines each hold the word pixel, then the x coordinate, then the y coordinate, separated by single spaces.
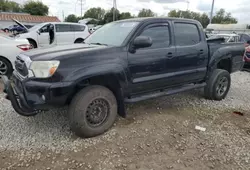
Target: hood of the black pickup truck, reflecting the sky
pixel 57 52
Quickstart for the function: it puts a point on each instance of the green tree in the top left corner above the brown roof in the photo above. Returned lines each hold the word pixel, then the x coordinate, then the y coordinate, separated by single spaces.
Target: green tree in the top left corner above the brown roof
pixel 9 6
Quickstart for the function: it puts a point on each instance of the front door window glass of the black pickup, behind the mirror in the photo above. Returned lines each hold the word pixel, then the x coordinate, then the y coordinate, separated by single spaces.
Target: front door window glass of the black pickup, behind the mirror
pixel 159 35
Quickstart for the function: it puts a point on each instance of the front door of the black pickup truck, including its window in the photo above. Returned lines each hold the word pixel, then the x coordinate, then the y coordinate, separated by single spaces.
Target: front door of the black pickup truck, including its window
pixel 147 66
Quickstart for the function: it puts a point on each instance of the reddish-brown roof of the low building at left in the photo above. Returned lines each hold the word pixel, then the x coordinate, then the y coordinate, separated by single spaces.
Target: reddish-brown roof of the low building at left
pixel 23 17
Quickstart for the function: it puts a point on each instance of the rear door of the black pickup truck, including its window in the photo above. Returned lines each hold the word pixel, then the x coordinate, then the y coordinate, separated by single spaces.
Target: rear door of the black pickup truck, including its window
pixel 191 52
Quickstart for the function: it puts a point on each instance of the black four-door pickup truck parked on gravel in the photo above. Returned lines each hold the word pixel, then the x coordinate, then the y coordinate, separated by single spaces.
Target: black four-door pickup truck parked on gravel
pixel 123 62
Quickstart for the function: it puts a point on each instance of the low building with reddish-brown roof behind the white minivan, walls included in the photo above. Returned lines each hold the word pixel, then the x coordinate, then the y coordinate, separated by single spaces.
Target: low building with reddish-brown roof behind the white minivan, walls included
pixel 24 18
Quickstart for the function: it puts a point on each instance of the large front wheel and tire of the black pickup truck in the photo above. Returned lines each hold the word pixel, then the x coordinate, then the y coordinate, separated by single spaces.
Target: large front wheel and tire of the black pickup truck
pixel 91 101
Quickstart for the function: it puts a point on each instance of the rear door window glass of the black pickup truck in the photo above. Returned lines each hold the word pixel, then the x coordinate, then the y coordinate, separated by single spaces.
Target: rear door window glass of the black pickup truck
pixel 186 34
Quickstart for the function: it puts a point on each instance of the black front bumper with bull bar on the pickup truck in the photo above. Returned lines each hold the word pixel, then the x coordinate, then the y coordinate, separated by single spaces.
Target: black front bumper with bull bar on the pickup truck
pixel 30 96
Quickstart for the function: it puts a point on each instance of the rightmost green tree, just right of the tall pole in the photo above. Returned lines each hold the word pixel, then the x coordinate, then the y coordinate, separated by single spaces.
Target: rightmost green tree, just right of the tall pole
pixel 222 17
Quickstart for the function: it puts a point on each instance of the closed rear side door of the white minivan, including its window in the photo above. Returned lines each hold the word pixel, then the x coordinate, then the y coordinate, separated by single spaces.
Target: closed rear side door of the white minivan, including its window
pixel 64 34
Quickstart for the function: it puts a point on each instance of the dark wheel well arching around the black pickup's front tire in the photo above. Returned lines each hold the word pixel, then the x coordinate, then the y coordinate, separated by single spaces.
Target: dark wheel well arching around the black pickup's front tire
pixel 108 81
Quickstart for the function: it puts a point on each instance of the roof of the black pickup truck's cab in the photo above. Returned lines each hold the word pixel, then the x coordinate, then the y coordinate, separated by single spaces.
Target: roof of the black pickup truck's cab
pixel 157 18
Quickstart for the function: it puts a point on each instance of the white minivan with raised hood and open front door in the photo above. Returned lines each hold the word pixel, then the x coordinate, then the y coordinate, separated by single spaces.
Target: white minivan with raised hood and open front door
pixel 62 33
